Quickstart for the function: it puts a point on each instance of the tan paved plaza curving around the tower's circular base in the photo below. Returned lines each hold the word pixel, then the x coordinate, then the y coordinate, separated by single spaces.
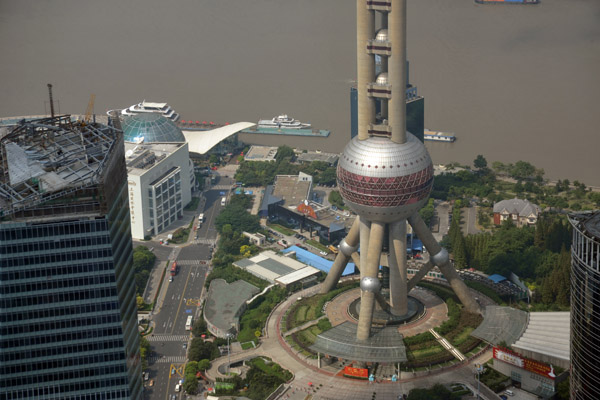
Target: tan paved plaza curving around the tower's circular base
pixel 325 384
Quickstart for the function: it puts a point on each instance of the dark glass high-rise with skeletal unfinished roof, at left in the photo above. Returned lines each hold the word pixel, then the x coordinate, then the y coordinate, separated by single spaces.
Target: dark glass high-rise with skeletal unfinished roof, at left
pixel 68 326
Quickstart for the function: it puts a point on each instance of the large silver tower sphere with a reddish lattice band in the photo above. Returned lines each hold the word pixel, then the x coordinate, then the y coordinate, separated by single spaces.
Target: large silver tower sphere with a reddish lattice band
pixel 385 181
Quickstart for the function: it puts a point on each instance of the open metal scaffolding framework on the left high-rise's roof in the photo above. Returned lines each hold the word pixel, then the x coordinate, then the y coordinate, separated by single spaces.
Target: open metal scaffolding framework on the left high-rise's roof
pixel 49 158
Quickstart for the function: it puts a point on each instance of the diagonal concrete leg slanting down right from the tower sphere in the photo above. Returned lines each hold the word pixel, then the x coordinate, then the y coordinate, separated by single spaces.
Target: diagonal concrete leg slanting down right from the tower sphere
pixel 440 258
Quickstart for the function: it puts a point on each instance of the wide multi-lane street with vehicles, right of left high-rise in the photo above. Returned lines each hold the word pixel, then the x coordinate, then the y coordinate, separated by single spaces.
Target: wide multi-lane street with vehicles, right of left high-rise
pixel 182 297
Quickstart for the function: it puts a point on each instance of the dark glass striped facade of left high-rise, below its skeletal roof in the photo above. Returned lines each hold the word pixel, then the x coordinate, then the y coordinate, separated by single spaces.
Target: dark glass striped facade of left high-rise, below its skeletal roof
pixel 68 319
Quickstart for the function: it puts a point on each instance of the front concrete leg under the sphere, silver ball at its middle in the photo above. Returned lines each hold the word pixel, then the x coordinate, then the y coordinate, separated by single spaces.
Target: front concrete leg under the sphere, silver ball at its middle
pixel 368 277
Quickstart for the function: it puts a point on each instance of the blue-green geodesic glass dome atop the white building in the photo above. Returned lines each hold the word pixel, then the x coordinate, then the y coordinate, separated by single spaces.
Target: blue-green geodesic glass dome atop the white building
pixel 152 127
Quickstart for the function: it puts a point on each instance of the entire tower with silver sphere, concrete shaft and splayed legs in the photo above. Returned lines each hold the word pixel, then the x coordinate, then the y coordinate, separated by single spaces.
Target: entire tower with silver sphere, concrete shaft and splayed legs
pixel 385 174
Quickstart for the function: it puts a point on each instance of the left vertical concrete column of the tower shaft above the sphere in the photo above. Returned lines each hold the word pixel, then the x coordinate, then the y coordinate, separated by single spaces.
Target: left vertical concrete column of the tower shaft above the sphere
pixel 365 64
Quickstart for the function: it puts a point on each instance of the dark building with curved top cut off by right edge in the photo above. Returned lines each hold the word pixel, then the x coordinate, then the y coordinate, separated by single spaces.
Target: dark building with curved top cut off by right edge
pixel 585 306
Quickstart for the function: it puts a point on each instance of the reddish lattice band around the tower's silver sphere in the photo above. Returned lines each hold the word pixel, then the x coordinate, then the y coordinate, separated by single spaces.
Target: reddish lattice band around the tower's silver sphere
pixel 385 192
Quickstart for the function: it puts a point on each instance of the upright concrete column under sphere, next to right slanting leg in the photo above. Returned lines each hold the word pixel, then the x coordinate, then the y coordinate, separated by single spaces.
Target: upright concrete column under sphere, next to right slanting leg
pixel 398 290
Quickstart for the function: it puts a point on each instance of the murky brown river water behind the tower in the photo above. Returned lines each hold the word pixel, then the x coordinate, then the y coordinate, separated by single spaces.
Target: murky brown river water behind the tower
pixel 511 82
